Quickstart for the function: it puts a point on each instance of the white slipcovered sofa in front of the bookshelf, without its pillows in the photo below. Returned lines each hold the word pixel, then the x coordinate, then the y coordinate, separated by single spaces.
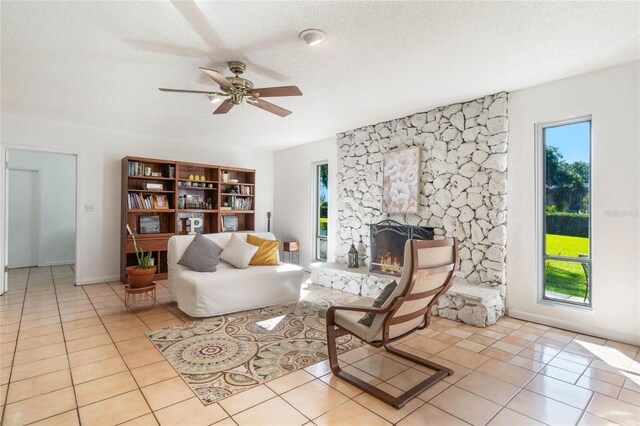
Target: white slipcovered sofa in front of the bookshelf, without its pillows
pixel 203 294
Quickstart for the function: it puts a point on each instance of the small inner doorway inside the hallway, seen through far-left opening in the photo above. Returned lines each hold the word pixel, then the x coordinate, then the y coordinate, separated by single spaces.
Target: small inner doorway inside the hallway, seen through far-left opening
pixel 23 218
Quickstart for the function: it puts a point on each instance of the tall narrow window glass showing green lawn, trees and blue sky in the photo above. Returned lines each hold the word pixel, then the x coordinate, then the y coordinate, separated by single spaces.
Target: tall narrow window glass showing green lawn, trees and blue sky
pixel 564 211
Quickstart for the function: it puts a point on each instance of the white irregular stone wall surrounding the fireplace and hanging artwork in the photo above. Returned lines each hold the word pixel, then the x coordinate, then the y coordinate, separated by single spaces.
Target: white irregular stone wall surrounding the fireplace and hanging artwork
pixel 463 183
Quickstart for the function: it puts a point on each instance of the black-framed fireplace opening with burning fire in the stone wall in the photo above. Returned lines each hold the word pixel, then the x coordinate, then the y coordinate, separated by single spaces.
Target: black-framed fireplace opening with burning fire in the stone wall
pixel 387 244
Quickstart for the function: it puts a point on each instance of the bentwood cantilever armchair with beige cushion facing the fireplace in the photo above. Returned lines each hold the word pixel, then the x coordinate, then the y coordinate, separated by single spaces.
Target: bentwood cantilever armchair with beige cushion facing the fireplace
pixel 428 270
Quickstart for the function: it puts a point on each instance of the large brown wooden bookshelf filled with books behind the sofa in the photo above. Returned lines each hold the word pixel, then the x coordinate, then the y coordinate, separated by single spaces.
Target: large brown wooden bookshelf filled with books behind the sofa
pixel 185 197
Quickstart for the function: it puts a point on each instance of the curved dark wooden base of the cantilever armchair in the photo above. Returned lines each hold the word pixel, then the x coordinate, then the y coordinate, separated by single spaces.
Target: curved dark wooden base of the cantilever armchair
pixel 396 402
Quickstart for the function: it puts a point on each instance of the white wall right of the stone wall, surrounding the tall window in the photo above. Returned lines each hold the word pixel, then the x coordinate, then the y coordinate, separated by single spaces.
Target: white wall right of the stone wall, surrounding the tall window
pixel 611 97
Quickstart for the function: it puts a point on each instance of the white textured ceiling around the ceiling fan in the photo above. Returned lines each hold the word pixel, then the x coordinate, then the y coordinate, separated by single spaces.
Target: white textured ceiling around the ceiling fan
pixel 100 63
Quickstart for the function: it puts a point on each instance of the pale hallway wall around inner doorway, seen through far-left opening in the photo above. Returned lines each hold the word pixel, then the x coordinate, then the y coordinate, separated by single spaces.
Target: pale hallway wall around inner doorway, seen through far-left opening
pixel 57 212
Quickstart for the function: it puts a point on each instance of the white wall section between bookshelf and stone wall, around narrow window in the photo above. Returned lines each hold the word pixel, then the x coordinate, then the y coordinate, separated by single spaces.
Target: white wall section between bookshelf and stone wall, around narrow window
pixel 293 202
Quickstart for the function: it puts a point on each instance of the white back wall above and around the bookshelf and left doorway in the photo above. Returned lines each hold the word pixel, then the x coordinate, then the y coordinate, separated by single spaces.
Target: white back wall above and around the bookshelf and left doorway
pixel 99 153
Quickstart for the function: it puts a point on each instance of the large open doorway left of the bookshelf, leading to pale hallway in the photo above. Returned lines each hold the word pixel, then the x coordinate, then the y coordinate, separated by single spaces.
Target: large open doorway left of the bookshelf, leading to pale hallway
pixel 39 212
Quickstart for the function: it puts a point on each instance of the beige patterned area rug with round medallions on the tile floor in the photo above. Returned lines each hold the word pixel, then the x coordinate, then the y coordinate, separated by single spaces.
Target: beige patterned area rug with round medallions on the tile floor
pixel 221 356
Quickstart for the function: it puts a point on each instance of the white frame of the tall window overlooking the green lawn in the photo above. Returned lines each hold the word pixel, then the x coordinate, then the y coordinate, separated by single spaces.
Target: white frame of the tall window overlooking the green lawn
pixel 541 222
